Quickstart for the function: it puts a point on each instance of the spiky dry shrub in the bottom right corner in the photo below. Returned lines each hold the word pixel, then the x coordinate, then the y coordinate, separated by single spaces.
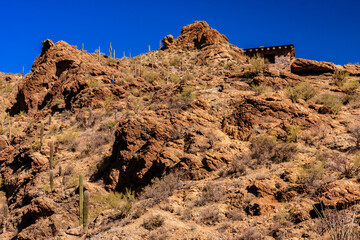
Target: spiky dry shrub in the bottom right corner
pixel 338 225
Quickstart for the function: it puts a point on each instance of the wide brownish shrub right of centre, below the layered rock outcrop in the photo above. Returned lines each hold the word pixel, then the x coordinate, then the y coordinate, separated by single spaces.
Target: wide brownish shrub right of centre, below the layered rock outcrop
pixel 265 149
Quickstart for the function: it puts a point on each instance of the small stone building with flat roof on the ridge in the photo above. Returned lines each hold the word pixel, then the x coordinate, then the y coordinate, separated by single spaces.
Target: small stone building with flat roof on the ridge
pixel 281 56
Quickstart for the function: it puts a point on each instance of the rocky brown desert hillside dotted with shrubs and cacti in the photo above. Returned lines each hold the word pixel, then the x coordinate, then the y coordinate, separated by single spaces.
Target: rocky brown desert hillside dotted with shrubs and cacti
pixel 192 141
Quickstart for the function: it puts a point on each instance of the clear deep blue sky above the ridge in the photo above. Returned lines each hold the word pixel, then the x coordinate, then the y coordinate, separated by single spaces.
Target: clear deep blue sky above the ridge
pixel 321 30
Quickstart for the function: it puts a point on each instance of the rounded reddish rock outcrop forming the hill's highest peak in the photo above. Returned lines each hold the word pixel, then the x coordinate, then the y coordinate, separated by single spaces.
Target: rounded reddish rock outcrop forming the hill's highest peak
pixel 196 35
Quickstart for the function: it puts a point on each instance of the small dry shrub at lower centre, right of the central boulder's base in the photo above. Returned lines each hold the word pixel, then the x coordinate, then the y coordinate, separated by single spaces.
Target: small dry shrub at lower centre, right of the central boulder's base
pixel 211 192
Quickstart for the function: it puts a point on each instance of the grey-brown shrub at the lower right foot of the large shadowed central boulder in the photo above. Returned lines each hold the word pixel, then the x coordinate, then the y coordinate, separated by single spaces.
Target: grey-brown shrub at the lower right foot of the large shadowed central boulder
pixel 160 189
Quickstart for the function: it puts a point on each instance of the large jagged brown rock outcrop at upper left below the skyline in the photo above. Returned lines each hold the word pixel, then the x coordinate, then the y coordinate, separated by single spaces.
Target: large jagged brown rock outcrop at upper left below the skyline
pixel 61 74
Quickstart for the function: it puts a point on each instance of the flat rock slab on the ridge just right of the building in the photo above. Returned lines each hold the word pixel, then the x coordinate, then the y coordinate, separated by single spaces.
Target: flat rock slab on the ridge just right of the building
pixel 310 67
